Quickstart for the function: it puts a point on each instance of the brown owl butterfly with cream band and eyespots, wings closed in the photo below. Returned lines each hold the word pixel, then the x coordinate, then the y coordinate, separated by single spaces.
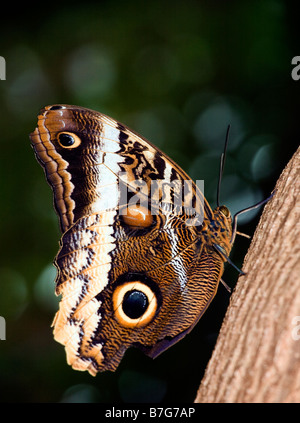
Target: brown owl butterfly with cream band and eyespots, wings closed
pixel 140 257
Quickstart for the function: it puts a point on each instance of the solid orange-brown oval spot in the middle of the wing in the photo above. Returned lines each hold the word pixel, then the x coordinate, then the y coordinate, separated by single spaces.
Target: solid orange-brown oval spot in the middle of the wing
pixel 136 216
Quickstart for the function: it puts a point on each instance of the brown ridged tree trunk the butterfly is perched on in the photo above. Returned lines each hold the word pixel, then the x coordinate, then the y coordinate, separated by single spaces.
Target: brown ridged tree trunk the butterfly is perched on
pixel 257 355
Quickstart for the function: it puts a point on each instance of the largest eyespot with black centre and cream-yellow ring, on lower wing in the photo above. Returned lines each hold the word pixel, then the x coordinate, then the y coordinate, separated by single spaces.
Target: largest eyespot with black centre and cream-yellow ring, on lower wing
pixel 134 303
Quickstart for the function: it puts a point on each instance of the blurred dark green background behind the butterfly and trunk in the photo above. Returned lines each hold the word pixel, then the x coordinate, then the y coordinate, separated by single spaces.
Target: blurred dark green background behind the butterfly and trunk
pixel 177 72
